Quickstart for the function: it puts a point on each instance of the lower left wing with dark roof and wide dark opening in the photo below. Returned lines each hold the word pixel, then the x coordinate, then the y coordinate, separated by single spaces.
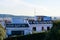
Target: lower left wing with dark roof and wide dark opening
pixel 17 29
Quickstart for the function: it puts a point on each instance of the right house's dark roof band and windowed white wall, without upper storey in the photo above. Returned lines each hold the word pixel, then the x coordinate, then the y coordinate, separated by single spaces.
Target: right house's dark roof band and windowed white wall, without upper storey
pixel 39 26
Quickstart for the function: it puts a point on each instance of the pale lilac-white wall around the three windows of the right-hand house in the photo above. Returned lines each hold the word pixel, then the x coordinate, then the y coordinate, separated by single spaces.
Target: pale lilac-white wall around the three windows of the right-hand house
pixel 39 27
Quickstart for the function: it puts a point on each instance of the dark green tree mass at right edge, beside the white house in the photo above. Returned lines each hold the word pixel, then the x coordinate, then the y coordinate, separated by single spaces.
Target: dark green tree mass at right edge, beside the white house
pixel 54 34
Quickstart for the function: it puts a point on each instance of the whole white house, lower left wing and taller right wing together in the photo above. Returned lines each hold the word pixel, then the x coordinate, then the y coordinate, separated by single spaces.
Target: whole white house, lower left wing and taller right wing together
pixel 29 26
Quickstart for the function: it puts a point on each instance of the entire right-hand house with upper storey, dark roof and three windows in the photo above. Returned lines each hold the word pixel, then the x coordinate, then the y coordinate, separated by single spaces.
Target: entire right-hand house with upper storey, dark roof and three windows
pixel 40 24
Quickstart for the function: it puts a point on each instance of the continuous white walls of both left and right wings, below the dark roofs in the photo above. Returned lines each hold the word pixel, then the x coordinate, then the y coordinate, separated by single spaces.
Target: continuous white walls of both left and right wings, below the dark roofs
pixel 30 29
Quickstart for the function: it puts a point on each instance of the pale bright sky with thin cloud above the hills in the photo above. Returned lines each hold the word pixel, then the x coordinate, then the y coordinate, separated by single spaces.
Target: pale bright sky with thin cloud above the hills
pixel 30 7
